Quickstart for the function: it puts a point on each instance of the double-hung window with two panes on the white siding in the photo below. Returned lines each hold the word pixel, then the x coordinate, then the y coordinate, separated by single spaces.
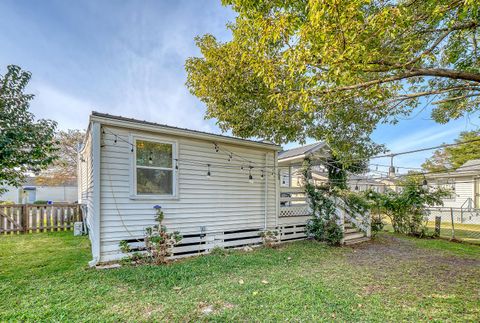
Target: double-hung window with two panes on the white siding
pixel 154 173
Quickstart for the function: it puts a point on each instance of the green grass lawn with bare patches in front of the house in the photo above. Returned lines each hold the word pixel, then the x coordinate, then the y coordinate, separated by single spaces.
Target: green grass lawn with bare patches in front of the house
pixel 44 277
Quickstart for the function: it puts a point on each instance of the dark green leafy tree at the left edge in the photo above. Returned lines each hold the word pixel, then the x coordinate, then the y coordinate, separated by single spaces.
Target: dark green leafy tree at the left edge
pixel 26 145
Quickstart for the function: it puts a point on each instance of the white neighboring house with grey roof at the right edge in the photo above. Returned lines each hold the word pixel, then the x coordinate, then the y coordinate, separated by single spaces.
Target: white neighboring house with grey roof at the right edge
pixel 464 183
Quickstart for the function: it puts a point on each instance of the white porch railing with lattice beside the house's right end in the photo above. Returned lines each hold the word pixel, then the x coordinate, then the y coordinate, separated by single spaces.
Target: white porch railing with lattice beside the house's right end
pixel 293 202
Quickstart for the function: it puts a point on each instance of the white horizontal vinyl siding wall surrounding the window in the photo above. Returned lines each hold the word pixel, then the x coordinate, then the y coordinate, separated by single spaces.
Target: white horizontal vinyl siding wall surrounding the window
pixel 225 201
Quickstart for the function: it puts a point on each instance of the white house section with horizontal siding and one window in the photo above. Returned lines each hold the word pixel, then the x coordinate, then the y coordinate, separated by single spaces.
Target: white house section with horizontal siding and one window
pixel 214 189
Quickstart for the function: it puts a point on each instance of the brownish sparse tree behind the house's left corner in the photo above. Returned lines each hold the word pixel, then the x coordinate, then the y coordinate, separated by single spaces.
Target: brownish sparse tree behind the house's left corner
pixel 64 168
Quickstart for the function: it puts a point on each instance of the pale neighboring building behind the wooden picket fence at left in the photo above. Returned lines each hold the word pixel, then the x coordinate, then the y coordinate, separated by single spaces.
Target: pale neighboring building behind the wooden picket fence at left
pixel 30 192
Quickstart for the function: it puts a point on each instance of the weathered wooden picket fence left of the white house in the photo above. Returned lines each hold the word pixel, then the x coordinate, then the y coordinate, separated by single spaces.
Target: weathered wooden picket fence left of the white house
pixel 30 218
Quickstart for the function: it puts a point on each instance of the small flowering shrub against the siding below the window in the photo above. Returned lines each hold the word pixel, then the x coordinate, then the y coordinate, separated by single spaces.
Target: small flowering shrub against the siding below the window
pixel 158 242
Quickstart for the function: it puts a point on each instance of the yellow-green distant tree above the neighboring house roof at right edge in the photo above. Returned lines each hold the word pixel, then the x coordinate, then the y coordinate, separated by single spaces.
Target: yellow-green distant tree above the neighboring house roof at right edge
pixel 455 156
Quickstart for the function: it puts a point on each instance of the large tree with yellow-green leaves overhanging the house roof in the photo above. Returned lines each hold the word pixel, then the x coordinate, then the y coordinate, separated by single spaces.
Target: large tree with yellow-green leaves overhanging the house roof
pixel 333 69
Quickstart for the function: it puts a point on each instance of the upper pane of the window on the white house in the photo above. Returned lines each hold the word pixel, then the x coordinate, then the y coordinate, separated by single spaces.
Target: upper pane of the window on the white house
pixel 154 154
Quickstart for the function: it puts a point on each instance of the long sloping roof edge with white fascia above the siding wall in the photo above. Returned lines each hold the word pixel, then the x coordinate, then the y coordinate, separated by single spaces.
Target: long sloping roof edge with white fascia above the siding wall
pixel 106 118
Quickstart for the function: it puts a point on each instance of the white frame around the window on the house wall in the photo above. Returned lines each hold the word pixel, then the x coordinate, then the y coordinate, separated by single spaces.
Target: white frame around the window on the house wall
pixel 133 168
